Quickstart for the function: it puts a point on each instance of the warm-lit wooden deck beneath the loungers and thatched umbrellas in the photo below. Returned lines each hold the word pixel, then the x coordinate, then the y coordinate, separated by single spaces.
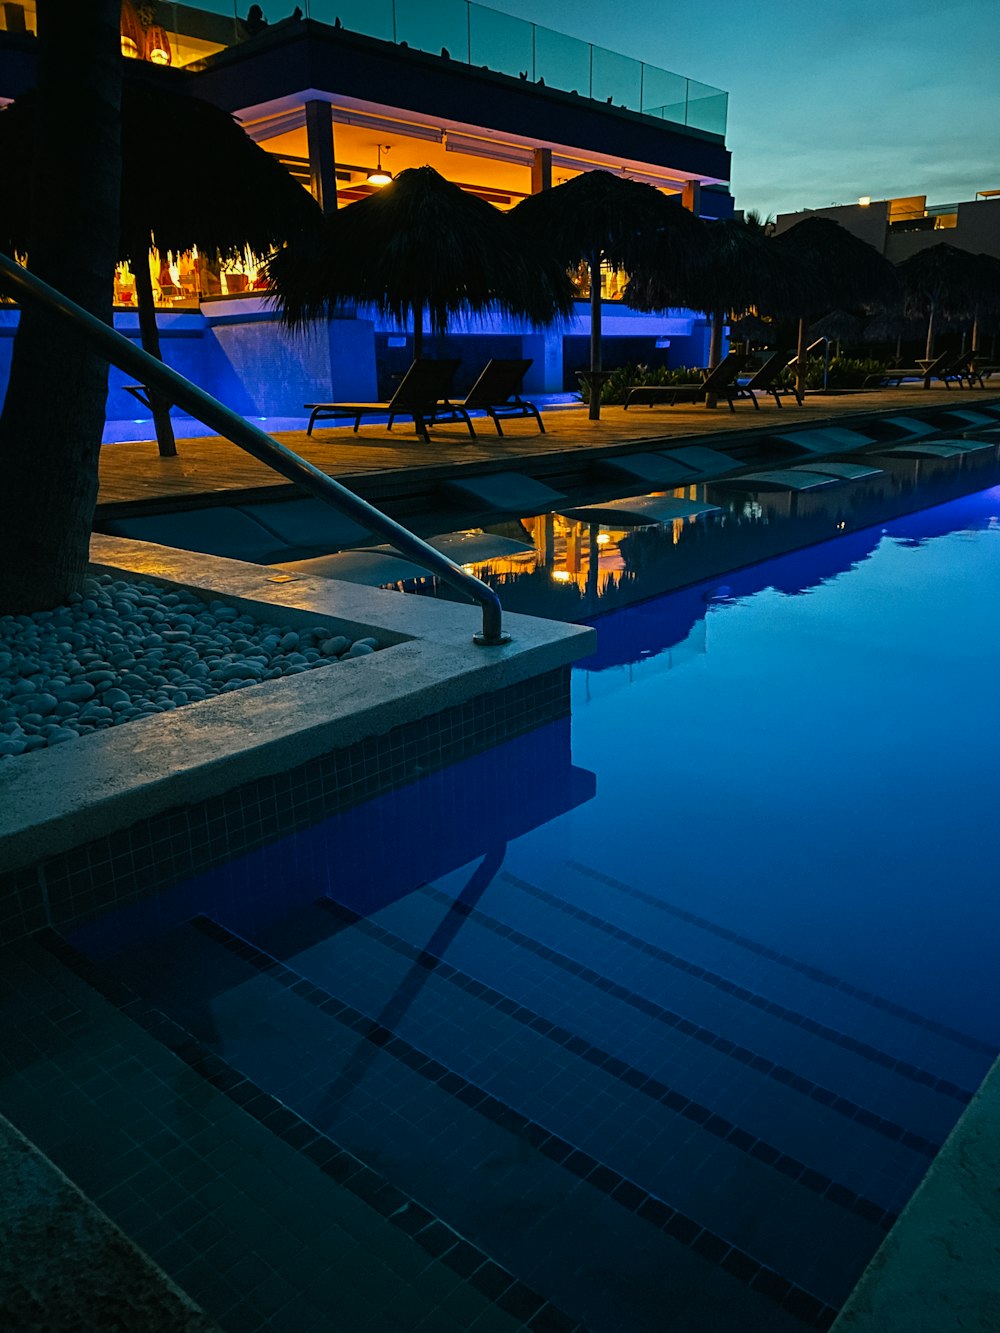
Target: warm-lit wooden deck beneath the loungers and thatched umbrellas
pixel 375 459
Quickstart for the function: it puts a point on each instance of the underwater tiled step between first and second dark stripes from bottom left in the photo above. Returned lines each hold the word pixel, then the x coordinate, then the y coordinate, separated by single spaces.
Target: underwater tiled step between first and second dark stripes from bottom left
pixel 594 1244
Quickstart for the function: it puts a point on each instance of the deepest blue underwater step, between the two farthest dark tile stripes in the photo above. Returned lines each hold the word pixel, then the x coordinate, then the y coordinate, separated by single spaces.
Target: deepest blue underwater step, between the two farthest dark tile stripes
pixel 955 1056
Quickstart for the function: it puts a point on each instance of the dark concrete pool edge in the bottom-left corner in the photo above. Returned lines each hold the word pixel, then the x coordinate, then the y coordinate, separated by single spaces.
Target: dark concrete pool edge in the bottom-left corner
pixel 65 1266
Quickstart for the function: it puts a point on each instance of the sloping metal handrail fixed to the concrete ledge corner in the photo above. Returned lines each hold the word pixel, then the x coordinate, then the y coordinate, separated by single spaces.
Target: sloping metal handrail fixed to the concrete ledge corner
pixel 121 353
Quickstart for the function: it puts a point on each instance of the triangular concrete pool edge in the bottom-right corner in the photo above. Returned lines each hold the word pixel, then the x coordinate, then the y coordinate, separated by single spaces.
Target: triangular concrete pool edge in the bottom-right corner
pixel 939 1268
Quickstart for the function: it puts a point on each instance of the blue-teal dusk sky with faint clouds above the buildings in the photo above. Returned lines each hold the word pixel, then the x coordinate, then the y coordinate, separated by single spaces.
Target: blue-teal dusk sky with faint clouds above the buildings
pixel 827 102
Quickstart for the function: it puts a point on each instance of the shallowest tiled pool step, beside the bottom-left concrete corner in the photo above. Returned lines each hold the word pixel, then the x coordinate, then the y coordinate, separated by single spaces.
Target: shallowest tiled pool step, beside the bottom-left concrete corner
pixel 257 1232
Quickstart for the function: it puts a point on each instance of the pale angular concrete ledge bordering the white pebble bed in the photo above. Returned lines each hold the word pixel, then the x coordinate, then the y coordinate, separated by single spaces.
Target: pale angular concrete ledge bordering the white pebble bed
pixel 58 799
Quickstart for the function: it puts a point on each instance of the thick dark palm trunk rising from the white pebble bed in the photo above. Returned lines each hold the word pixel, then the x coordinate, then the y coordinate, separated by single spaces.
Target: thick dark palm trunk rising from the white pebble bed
pixel 54 413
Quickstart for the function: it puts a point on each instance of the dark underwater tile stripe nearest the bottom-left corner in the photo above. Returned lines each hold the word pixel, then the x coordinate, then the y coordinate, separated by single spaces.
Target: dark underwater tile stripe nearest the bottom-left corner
pixel 435 1238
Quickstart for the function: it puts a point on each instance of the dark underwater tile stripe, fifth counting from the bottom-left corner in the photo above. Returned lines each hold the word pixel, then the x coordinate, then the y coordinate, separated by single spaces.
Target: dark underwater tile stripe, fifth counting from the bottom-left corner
pixel 778 1011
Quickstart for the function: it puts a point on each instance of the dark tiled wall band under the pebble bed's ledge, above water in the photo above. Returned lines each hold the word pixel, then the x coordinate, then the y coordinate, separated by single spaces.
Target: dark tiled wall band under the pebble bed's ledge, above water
pixel 169 848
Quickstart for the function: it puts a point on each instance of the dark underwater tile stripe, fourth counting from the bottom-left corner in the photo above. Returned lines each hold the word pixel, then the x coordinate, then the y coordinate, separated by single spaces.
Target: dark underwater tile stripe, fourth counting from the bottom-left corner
pixel 765 1067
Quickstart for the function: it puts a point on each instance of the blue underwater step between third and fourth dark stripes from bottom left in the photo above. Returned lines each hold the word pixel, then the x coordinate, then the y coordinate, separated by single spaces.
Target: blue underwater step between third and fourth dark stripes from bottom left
pixel 758 1098
